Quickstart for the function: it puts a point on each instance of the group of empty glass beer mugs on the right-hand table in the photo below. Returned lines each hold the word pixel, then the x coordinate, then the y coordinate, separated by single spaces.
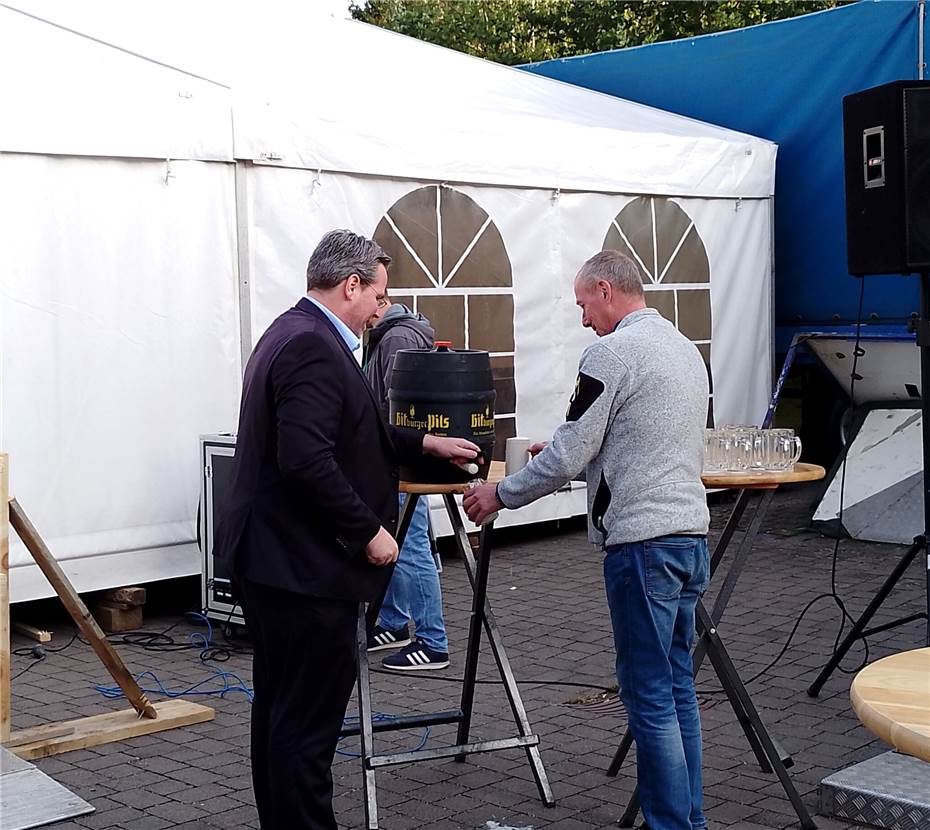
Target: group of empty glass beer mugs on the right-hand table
pixel 747 449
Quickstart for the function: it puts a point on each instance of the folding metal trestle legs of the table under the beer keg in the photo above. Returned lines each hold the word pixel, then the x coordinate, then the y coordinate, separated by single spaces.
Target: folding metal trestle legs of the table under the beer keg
pixel 476 567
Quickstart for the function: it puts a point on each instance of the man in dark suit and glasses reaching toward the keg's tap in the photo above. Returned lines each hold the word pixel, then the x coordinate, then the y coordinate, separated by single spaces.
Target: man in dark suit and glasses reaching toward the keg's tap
pixel 309 523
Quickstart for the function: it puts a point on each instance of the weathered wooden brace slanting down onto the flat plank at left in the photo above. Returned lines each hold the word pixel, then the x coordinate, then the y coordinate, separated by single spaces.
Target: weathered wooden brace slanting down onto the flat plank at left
pixel 78 610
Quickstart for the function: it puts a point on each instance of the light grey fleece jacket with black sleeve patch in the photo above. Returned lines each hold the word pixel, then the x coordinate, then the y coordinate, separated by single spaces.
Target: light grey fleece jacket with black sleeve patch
pixel 636 422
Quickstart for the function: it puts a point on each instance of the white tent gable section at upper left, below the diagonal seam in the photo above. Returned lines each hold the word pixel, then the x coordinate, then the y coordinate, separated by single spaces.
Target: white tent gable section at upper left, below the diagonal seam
pixel 67 94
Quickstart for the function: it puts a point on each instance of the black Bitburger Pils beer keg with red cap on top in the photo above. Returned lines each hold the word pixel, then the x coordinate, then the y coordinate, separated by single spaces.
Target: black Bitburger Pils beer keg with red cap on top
pixel 444 391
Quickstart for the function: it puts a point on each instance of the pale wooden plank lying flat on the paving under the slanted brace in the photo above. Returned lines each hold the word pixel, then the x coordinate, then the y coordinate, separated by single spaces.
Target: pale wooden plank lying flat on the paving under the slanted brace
pixel 30 744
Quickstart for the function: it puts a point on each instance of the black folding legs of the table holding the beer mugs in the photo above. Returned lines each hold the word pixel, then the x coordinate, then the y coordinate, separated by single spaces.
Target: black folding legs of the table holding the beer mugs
pixel 770 756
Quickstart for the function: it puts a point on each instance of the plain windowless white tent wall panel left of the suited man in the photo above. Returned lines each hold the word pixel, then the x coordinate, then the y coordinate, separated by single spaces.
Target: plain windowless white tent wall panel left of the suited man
pixel 118 344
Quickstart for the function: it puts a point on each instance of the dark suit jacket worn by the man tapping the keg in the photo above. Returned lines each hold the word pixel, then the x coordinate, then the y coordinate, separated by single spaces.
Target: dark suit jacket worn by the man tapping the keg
pixel 316 467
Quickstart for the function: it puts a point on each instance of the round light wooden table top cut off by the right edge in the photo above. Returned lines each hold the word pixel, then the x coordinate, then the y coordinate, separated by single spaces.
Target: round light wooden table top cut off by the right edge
pixel 892 699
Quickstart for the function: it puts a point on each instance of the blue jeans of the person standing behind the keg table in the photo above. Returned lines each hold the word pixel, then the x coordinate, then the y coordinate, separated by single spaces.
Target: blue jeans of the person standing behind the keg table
pixel 414 591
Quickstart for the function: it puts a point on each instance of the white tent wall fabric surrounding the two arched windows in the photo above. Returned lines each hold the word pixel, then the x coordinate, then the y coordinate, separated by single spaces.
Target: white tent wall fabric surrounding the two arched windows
pixel 547 236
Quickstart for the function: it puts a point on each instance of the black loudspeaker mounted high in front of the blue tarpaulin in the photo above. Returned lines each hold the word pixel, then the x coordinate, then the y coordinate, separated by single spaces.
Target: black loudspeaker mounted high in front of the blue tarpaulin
pixel 887 149
